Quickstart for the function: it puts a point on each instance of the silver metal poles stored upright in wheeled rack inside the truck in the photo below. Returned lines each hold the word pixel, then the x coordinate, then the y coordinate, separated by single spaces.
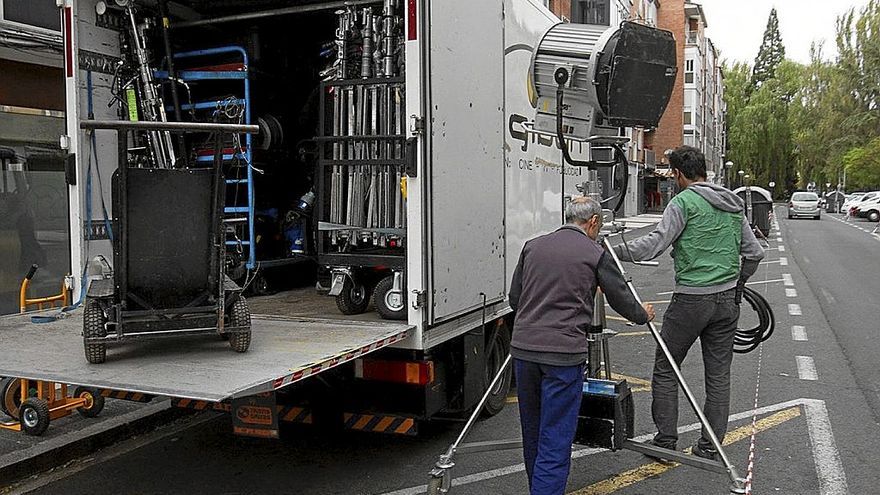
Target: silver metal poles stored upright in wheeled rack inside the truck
pixel 367 197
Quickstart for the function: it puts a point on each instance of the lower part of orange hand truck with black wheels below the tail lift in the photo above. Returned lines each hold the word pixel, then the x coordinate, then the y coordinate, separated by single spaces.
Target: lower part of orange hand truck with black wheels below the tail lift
pixel 36 403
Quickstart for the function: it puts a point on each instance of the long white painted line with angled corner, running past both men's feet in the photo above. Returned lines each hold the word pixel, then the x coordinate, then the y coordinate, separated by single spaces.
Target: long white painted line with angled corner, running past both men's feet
pixel 829 468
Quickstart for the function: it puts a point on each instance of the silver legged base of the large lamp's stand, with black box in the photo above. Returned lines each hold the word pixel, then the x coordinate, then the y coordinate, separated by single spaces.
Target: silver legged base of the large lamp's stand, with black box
pixel 606 417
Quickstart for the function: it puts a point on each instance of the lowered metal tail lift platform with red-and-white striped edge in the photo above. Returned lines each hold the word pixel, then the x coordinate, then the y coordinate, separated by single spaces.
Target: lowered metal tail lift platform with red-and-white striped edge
pixel 284 350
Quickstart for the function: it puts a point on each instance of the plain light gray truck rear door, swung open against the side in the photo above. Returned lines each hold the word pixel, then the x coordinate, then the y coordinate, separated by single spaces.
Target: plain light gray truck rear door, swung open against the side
pixel 465 140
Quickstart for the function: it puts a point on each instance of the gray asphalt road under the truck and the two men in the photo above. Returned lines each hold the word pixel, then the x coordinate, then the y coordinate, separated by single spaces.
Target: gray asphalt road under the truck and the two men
pixel 815 383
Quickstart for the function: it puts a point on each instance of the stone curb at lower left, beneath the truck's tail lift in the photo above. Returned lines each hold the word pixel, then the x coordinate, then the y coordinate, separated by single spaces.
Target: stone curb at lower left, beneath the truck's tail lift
pixel 57 451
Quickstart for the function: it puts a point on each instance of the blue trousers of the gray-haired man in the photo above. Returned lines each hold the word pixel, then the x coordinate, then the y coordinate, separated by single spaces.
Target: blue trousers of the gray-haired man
pixel 549 400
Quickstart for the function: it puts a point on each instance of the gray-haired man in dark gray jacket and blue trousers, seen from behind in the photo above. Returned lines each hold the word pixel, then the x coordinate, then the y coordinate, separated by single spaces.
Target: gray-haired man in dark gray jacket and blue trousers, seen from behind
pixel 552 293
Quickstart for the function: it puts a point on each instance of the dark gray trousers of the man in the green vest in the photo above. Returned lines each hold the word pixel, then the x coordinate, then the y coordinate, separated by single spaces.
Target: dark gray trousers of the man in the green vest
pixel 712 318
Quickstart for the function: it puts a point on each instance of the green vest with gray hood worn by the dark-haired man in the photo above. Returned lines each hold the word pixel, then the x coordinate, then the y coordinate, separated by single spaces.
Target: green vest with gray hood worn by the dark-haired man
pixel 707 251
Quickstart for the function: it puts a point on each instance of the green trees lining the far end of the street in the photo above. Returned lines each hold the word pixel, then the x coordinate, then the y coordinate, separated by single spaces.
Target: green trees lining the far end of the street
pixel 793 124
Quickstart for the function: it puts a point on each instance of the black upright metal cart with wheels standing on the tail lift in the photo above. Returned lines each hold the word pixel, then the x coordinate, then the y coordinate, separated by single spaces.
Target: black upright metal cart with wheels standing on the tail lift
pixel 168 252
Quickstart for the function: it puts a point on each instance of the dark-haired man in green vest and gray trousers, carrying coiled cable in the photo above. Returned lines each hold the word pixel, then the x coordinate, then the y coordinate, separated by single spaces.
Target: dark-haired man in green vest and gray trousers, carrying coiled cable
pixel 715 252
